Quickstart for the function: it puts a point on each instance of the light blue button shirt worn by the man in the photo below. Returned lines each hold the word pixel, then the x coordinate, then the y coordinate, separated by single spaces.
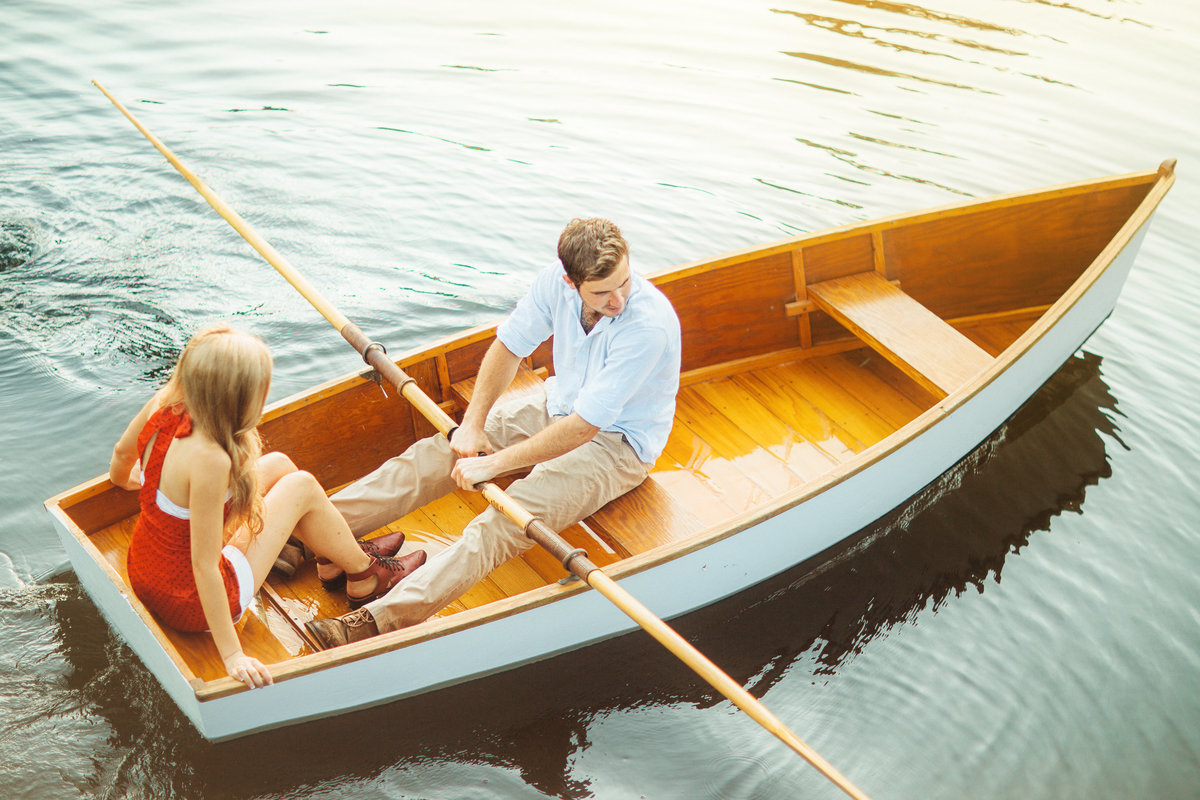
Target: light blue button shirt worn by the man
pixel 621 377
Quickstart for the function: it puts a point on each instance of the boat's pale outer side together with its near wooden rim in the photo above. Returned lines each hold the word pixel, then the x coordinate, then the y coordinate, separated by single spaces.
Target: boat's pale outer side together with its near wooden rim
pixel 712 564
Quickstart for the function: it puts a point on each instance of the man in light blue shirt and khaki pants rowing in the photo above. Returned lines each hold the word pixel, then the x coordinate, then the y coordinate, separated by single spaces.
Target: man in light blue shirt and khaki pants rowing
pixel 591 437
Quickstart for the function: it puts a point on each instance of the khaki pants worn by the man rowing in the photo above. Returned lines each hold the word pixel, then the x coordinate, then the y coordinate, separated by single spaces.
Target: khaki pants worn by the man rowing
pixel 561 492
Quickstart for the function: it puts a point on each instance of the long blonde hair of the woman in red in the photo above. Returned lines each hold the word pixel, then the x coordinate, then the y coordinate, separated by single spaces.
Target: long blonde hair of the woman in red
pixel 223 378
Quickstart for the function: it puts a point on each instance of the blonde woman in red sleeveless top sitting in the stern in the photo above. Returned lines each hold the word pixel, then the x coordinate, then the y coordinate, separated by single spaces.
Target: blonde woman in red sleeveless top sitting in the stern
pixel 215 514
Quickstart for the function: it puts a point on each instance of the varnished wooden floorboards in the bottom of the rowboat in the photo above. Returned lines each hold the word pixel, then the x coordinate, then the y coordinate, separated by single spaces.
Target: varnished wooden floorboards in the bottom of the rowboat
pixel 739 442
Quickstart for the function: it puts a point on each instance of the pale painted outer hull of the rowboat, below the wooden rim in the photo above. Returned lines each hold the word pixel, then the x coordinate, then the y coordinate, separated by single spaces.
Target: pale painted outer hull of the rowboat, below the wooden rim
pixel 739 562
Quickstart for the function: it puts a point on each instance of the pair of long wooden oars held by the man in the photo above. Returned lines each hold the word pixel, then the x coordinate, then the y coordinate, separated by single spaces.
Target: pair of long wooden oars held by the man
pixel 573 560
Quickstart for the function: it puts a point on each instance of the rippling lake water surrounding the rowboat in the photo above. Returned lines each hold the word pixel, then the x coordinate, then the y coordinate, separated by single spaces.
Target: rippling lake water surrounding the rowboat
pixel 1027 629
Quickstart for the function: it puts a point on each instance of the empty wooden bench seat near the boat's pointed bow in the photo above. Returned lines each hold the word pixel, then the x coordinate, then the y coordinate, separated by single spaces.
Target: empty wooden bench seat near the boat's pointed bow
pixel 901 329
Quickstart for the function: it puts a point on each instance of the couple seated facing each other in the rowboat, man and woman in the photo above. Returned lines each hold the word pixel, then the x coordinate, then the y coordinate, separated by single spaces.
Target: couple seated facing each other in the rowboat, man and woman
pixel 218 516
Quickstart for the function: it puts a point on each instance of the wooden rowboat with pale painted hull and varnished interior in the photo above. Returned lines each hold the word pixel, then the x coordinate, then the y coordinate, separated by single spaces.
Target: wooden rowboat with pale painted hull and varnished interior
pixel 827 378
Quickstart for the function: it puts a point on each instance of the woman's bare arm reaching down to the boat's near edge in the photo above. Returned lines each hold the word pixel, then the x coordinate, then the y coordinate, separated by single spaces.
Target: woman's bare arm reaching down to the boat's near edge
pixel 208 482
